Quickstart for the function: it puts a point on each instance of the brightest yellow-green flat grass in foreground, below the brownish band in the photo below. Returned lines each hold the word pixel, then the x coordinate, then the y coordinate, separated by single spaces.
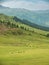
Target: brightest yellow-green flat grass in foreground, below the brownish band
pixel 10 55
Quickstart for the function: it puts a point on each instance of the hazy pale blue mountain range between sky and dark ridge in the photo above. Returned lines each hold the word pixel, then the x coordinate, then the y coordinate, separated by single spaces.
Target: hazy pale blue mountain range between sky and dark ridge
pixel 38 17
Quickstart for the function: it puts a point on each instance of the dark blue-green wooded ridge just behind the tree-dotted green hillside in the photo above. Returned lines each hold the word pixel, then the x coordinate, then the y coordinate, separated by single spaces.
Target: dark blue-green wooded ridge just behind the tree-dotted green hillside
pixel 36 26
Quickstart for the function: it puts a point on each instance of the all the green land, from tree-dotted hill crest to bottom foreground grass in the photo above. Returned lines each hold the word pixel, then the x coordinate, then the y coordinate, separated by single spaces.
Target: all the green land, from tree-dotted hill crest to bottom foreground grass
pixel 21 44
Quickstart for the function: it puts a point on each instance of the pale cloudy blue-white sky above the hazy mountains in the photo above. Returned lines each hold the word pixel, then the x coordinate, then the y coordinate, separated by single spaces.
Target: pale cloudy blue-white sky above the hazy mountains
pixel 26 4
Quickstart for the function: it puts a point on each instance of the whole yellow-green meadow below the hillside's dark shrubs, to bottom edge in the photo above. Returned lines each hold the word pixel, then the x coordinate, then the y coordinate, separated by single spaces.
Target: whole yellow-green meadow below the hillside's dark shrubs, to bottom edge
pixel 24 50
